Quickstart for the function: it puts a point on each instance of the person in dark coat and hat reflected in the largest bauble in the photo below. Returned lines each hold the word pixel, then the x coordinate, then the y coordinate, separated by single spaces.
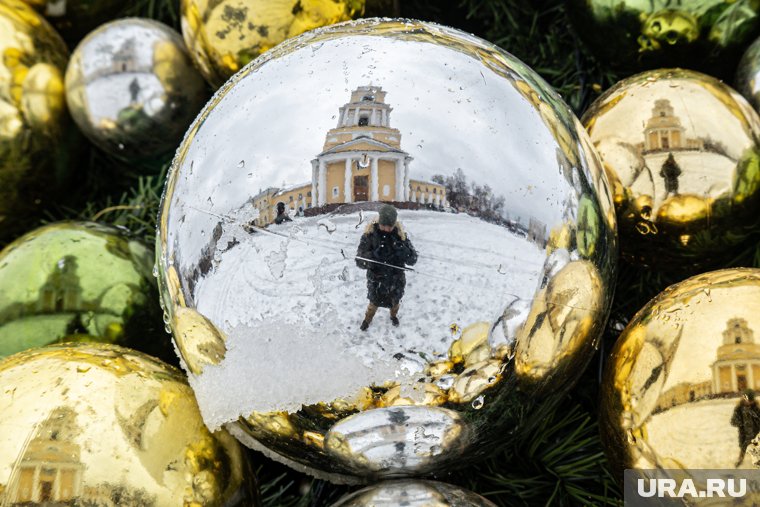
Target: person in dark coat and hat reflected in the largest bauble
pixel 384 251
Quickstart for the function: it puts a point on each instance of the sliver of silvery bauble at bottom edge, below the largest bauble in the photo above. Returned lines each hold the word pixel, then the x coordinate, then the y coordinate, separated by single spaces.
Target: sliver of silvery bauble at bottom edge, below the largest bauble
pixel 413 493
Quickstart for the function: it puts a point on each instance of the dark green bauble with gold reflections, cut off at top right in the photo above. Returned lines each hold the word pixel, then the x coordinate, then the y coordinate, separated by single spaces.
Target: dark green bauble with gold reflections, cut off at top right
pixel 631 35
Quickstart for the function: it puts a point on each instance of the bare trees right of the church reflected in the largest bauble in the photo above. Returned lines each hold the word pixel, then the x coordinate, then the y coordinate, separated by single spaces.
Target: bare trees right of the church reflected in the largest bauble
pixel 473 198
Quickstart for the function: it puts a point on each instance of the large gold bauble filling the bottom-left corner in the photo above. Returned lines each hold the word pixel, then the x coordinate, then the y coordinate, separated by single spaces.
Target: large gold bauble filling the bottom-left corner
pixel 97 424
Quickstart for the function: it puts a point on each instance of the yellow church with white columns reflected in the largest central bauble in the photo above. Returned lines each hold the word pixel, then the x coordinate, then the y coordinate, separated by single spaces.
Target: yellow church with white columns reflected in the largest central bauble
pixel 361 160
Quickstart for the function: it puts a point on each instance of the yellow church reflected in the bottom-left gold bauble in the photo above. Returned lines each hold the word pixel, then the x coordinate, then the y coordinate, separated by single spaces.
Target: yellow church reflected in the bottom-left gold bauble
pixel 49 468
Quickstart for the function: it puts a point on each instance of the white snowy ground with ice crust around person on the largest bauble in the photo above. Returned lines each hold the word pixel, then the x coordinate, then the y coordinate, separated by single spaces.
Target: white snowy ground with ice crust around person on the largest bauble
pixel 291 300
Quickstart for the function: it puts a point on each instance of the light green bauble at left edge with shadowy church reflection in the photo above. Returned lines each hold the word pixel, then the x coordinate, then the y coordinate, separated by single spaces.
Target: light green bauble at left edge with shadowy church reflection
pixel 79 281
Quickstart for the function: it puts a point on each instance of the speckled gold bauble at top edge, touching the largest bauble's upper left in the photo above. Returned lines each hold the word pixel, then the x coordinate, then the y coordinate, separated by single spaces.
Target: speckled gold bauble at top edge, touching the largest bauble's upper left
pixel 224 35
